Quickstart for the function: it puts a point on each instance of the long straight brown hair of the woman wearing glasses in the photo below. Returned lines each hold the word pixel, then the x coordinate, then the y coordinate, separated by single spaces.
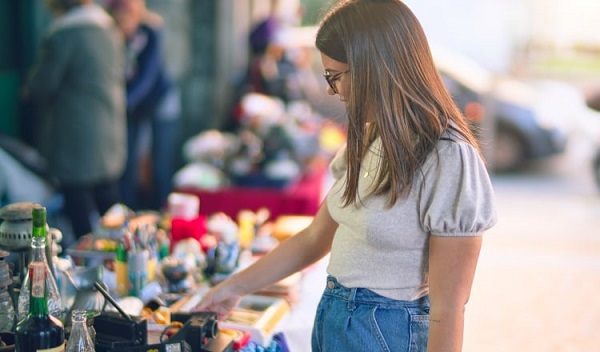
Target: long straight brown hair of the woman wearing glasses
pixel 394 84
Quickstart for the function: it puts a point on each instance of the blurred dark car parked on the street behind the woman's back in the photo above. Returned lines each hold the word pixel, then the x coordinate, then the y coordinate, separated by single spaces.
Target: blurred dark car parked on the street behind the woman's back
pixel 529 120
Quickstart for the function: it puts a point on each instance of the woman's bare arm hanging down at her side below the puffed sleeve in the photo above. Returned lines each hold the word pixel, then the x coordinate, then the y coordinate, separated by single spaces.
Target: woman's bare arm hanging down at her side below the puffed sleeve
pixel 452 263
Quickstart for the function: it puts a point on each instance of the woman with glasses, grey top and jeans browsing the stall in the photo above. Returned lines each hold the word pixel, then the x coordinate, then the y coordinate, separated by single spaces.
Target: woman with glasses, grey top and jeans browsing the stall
pixel 412 197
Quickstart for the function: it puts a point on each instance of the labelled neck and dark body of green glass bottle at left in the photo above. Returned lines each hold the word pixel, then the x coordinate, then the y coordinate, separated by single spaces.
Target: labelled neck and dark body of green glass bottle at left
pixel 39 331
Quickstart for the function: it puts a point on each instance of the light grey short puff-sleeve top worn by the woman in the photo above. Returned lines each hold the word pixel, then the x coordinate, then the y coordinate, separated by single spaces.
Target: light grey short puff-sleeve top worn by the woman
pixel 386 249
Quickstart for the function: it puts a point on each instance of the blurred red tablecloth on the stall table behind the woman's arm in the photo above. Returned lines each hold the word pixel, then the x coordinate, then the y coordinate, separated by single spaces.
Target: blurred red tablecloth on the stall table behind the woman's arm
pixel 302 197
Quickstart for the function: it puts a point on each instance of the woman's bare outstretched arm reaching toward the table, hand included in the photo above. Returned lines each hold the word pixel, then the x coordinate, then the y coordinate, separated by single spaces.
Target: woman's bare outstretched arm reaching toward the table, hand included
pixel 294 254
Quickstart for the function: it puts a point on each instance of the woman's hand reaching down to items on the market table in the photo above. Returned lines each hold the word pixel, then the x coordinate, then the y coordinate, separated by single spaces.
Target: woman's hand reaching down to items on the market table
pixel 221 299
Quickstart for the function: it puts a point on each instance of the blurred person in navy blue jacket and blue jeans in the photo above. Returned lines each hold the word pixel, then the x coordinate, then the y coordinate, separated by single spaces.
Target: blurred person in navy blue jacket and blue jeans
pixel 152 101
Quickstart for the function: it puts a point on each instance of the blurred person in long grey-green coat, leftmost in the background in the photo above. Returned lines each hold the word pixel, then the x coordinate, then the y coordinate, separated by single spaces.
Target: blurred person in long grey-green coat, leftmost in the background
pixel 77 88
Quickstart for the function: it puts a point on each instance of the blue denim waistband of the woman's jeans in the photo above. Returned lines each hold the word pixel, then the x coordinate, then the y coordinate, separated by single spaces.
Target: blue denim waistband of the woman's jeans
pixel 366 296
